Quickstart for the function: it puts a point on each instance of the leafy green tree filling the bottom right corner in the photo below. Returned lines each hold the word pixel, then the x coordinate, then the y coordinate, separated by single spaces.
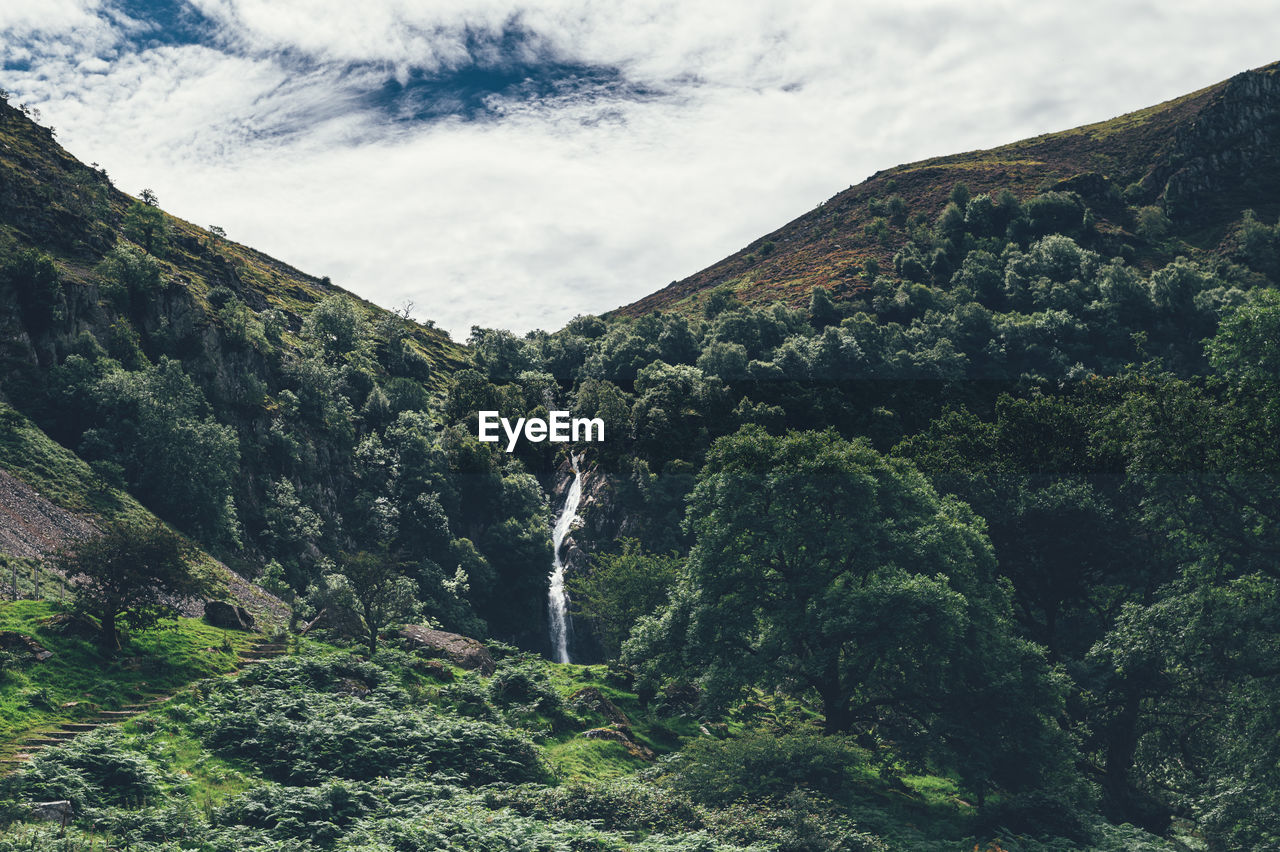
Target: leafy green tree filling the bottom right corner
pixel 1186 698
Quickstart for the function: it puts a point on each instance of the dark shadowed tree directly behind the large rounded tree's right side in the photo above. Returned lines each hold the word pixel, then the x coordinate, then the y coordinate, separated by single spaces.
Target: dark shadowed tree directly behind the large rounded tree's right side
pixel 1058 516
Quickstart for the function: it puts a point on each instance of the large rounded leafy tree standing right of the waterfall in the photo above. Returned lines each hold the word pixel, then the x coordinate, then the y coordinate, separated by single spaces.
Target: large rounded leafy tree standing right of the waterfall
pixel 824 570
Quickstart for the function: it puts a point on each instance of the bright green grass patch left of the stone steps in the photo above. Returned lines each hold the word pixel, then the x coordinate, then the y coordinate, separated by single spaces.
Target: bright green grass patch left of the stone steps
pixel 79 680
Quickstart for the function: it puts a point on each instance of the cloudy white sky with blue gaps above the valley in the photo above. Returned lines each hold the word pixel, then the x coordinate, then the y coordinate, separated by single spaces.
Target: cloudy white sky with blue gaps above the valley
pixel 518 164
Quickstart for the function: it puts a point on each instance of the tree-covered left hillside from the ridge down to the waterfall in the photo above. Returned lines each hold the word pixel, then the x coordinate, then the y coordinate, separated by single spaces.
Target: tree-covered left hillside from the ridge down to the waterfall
pixel 277 420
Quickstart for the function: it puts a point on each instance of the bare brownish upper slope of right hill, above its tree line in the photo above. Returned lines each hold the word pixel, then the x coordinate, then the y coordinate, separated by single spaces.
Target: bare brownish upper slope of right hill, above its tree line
pixel 1203 159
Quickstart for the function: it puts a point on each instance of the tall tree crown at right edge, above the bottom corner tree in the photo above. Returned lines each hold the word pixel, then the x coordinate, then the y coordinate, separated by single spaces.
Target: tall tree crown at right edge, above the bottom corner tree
pixel 1206 455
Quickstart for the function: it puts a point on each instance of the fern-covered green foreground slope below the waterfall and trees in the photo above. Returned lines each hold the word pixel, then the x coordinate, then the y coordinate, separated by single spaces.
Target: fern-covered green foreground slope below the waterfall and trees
pixel 327 752
